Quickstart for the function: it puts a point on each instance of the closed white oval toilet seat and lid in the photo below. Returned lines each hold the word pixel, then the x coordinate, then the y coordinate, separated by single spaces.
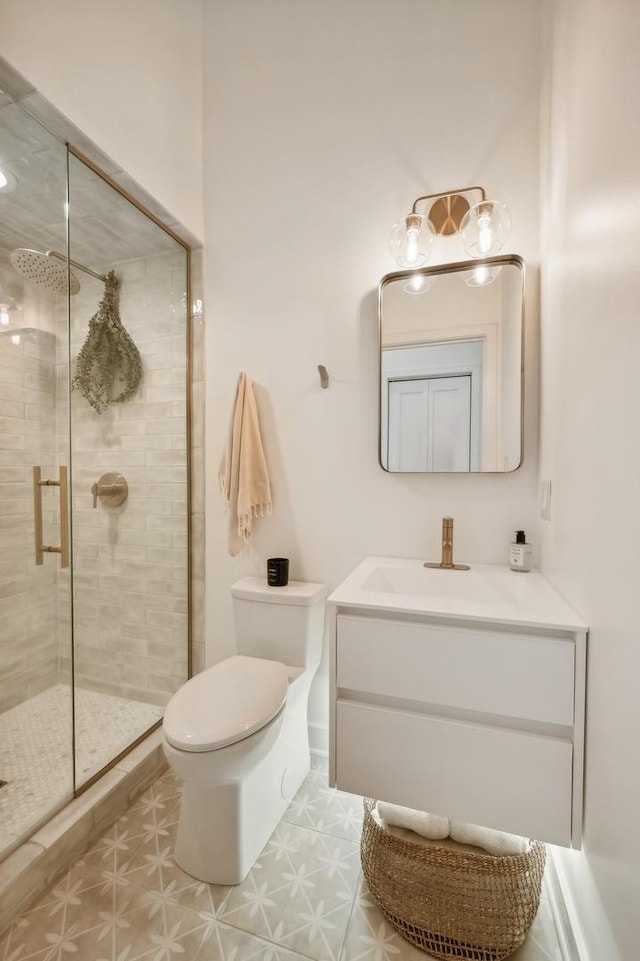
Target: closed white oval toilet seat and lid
pixel 226 703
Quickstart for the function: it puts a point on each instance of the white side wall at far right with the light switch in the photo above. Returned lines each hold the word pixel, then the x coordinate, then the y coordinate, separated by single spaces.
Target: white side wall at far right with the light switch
pixel 590 434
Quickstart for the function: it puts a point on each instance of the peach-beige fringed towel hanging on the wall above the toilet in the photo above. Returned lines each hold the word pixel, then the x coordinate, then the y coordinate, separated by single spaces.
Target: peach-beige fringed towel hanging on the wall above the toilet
pixel 243 476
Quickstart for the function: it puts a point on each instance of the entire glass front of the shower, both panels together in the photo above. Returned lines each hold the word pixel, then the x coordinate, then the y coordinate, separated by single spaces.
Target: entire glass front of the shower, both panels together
pixel 94 472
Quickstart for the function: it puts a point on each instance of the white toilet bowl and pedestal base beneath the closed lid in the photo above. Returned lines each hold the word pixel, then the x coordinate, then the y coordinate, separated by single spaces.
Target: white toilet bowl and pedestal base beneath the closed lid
pixel 224 826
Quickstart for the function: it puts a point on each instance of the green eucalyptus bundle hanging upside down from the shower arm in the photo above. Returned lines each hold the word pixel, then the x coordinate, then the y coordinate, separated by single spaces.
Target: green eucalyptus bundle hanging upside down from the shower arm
pixel 108 368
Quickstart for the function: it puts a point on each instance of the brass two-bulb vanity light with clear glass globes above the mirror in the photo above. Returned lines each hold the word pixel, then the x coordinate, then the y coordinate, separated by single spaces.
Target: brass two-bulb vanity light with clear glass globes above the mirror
pixel 483 225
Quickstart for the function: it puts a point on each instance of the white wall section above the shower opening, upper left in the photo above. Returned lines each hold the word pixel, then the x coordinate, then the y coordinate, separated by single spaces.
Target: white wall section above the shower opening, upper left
pixel 129 75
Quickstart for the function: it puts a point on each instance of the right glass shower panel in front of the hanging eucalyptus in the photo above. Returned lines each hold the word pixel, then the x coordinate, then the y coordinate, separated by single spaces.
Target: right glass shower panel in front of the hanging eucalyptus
pixel 129 439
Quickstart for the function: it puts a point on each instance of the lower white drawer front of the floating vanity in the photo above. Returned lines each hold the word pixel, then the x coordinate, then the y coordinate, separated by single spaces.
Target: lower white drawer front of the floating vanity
pixel 509 780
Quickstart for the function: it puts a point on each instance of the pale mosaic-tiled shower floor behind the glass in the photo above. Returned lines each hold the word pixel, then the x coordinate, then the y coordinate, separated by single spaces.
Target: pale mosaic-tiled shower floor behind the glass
pixel 35 751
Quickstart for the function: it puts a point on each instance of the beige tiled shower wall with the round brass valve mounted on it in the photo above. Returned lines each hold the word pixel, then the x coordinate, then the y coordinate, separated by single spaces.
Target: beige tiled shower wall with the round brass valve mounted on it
pixel 131 562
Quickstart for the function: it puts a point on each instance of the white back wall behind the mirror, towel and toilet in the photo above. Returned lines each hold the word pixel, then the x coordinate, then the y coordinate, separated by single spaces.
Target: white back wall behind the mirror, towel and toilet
pixel 325 122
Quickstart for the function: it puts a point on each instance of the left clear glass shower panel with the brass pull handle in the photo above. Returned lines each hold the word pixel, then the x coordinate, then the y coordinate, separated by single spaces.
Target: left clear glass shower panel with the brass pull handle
pixel 36 715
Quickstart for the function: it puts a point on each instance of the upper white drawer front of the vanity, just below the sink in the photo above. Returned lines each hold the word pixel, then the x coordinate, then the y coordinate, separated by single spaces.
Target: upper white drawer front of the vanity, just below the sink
pixel 515 675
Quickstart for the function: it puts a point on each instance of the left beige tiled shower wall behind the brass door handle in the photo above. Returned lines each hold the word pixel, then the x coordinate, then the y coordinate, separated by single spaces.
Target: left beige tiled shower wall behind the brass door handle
pixel 29 652
